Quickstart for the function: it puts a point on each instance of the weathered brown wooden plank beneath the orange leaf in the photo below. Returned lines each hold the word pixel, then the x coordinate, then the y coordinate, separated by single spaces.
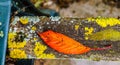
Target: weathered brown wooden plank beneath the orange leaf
pixel 67 26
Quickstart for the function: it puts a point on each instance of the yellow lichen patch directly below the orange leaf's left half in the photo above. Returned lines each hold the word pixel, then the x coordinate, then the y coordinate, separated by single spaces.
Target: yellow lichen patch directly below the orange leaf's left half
pixel 39 51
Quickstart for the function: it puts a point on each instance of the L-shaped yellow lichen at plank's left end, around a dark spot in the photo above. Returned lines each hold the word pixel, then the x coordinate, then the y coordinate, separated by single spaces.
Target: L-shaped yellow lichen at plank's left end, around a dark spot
pixel 12 43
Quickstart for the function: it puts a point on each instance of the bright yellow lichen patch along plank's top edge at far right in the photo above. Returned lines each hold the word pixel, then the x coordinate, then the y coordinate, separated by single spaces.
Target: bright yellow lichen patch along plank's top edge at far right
pixel 104 22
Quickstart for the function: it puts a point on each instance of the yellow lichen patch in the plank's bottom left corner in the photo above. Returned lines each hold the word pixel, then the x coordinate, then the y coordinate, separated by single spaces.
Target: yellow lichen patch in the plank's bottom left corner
pixel 17 53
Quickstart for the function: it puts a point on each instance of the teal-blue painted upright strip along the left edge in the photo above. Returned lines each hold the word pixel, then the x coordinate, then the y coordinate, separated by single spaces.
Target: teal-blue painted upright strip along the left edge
pixel 5 6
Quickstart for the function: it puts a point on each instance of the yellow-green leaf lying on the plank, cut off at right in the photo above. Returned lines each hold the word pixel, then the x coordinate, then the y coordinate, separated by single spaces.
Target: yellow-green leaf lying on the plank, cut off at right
pixel 108 34
